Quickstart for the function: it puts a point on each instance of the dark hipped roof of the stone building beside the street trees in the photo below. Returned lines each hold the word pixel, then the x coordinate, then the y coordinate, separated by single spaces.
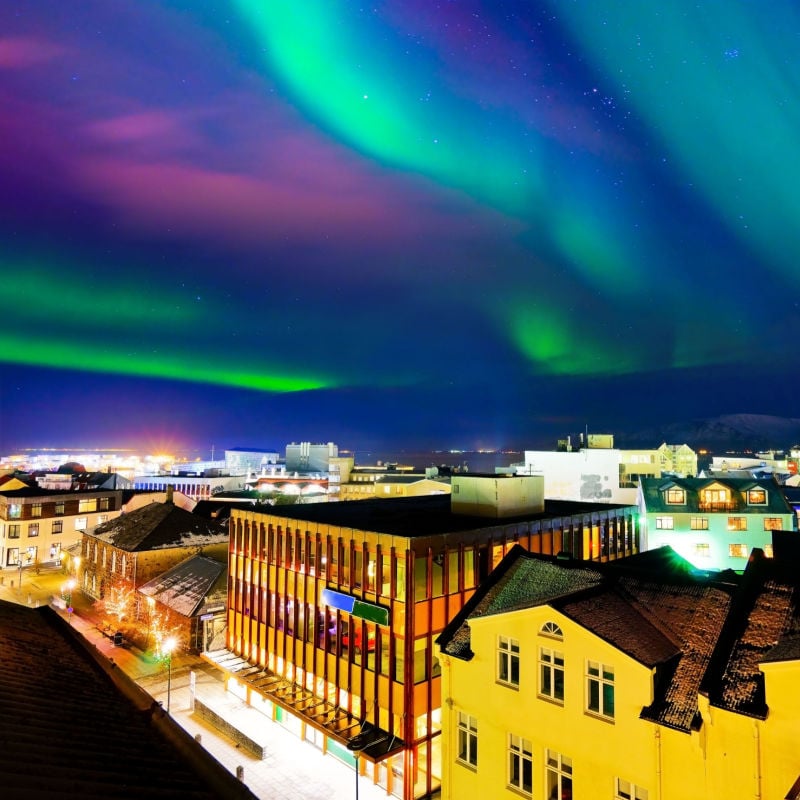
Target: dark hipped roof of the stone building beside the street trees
pixel 158 526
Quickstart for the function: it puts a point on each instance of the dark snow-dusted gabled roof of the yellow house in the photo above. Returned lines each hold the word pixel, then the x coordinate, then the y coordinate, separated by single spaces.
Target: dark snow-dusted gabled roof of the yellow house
pixel 671 622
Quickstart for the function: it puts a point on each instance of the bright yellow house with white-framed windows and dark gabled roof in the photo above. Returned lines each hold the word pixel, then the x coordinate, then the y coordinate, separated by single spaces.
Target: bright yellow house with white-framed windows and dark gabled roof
pixel 632 681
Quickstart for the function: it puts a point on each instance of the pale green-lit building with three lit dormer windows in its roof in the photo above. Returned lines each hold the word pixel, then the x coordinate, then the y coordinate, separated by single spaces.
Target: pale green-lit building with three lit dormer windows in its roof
pixel 714 523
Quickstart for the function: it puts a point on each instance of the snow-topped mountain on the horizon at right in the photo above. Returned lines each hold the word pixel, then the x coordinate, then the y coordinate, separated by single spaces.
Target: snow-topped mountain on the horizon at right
pixel 730 432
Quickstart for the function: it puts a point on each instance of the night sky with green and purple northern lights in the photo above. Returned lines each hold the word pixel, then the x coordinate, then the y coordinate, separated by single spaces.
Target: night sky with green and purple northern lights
pixel 466 223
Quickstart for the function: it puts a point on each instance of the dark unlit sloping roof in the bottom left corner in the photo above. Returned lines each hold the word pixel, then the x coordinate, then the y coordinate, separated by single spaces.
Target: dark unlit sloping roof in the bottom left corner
pixel 71 726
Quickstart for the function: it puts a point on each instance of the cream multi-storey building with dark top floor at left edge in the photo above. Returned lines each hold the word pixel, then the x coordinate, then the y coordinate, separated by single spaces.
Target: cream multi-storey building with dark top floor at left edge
pixel 36 524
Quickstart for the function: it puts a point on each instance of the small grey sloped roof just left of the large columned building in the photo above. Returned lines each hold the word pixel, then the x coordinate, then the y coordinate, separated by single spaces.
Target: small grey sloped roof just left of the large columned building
pixel 184 587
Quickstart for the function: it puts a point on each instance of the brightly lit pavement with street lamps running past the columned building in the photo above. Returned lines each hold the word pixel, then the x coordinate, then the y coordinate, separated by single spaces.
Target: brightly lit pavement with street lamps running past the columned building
pixel 291 769
